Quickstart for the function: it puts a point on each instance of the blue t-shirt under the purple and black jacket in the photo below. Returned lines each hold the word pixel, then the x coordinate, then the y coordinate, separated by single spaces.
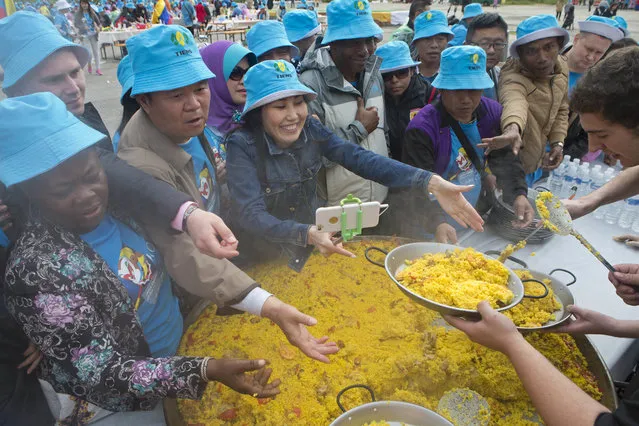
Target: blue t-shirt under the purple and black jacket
pixel 460 168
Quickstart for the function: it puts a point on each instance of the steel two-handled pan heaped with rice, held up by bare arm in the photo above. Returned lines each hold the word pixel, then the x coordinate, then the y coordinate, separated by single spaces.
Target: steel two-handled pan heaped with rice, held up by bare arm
pixel 396 261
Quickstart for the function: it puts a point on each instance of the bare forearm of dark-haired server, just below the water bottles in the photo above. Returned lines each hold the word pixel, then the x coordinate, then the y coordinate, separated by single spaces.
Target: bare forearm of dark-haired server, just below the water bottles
pixel 623 186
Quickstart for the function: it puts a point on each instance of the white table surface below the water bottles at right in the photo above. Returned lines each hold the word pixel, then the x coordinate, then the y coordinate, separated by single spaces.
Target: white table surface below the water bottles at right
pixel 592 290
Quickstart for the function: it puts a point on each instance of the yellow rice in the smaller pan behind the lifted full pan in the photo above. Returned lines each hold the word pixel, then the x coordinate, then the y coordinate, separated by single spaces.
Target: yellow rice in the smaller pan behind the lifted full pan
pixel 533 312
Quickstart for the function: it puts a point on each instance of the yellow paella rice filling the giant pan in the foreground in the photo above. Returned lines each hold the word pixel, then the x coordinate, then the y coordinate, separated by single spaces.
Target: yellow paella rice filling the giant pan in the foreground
pixel 387 342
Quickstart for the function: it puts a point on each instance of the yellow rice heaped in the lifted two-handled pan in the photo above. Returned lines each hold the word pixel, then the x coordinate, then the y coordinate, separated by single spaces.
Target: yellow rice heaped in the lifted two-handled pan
pixel 460 278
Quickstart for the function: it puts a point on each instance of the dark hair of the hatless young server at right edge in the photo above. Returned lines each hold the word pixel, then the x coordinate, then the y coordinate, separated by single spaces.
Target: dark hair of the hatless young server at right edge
pixel 611 88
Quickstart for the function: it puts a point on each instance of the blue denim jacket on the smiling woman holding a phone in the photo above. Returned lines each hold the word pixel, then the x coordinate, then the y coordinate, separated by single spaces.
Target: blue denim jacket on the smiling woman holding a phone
pixel 282 207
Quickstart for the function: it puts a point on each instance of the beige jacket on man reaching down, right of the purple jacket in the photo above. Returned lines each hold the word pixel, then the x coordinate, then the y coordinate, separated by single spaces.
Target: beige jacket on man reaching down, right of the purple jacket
pixel 538 107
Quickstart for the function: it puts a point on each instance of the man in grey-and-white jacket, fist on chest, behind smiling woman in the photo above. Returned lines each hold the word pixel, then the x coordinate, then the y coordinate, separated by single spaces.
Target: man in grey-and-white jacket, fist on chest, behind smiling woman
pixel 350 101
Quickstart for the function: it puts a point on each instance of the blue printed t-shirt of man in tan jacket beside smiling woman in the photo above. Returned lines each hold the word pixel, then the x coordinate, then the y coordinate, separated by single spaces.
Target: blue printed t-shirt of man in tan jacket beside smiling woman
pixel 203 170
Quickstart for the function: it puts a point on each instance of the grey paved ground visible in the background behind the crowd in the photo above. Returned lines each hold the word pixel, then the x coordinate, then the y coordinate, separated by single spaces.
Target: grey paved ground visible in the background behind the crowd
pixel 104 91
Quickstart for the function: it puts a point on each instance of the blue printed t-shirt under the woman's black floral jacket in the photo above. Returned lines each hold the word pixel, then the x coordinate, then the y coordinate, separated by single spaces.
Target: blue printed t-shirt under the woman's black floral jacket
pixel 138 265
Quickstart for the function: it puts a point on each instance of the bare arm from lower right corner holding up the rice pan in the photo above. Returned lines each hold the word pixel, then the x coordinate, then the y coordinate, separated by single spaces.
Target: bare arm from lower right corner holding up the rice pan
pixel 558 400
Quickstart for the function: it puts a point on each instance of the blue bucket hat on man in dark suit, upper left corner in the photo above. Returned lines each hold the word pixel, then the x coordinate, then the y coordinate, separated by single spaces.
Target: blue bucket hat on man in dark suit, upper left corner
pixel 28 39
